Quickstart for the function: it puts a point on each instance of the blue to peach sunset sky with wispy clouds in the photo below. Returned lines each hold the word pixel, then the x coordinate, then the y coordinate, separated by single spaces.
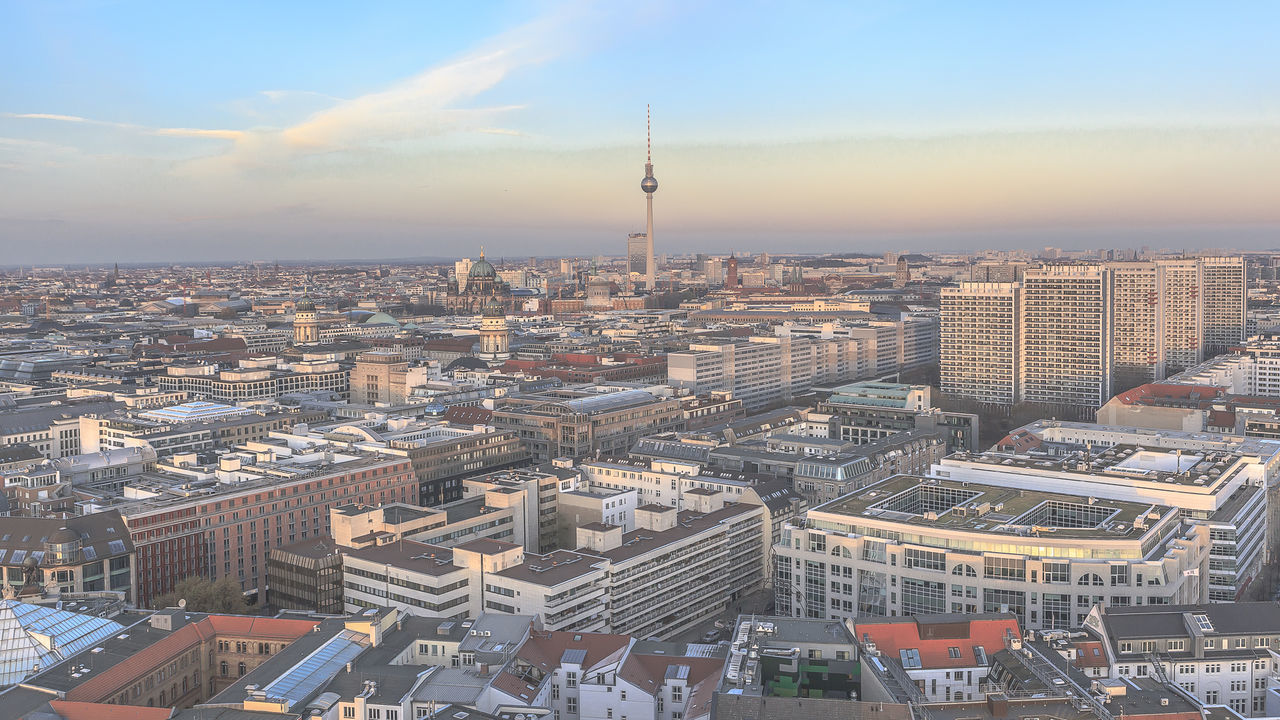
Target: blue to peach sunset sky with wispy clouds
pixel 312 131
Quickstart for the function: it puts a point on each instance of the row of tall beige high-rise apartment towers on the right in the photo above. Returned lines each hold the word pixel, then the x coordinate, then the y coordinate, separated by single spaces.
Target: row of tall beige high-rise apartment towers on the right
pixel 1075 335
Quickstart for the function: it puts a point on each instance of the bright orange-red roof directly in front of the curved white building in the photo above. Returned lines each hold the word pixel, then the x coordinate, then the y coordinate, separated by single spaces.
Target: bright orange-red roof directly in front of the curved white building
pixel 936 651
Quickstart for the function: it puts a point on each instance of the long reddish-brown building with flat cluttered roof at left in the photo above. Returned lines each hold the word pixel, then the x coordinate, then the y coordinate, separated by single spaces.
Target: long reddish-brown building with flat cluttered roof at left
pixel 222 520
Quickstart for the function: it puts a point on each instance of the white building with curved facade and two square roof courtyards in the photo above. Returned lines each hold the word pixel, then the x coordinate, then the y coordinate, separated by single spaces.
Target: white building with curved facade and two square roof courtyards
pixel 913 545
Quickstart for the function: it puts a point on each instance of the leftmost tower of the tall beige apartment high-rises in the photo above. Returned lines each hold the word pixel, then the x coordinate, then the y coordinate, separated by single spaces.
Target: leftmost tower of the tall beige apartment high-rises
pixel 980 356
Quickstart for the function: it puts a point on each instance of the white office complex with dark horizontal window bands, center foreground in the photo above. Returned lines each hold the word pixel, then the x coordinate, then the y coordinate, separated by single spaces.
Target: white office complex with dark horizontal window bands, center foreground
pixel 675 571
